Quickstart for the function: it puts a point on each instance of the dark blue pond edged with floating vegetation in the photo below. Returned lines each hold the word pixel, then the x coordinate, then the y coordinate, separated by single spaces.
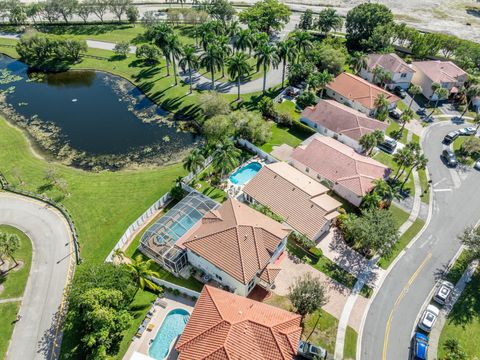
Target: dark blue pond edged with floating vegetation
pixel 91 119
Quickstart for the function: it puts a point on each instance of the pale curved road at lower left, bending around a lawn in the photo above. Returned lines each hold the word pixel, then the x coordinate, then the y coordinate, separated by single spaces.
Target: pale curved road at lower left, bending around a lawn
pixel 37 331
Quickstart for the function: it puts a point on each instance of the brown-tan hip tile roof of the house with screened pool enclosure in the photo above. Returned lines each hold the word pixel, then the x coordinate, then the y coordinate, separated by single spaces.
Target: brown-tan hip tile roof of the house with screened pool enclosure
pixel 237 239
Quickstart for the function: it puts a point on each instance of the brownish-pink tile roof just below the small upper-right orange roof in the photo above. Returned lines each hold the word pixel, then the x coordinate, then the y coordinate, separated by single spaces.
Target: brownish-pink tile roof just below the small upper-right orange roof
pixel 342 119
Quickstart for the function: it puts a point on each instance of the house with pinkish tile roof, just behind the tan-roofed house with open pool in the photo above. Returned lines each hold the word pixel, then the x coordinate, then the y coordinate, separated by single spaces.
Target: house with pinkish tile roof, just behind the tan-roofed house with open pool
pixel 346 172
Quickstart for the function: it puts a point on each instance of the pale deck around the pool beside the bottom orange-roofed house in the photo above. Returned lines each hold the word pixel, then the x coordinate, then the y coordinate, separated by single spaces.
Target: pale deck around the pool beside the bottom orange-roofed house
pixel 142 344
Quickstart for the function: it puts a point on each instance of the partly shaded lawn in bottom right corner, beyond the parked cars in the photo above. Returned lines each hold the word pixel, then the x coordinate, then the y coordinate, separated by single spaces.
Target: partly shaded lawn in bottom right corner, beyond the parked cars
pixel 463 323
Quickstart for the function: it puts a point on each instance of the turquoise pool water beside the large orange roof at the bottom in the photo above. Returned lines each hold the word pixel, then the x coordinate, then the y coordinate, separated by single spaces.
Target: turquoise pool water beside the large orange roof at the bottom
pixel 171 328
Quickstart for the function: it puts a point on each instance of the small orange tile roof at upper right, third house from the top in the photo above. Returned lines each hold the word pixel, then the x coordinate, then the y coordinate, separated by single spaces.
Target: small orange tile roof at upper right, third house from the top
pixel 356 89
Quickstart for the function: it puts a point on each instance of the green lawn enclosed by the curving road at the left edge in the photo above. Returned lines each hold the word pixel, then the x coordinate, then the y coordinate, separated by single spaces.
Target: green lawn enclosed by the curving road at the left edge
pixel 14 281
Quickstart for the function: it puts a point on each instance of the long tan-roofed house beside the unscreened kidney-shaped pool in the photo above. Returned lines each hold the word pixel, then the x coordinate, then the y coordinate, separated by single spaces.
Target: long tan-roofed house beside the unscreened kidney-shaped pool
pixel 301 201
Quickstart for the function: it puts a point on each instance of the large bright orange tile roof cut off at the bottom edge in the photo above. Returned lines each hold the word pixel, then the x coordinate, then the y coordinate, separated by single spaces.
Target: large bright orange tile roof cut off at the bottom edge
pixel 224 326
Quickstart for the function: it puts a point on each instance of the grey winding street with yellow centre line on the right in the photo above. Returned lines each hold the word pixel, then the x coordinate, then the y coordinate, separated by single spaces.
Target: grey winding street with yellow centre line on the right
pixel 393 312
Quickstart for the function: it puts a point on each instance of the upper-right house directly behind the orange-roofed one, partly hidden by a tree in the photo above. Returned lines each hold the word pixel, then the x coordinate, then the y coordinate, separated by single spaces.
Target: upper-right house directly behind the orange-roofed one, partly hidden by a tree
pixel 401 73
